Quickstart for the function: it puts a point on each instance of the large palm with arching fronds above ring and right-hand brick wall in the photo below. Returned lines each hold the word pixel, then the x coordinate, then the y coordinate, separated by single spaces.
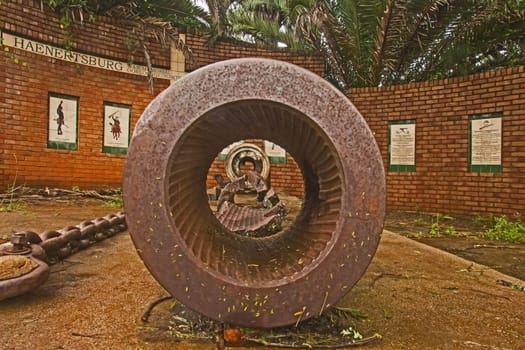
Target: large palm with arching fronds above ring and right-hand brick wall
pixel 378 42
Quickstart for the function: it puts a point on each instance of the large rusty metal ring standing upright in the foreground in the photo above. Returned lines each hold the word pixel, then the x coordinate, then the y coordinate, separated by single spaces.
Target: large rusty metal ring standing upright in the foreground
pixel 255 282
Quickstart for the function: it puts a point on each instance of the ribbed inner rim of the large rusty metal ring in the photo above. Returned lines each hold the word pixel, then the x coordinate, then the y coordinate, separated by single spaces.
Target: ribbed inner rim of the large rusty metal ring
pixel 245 260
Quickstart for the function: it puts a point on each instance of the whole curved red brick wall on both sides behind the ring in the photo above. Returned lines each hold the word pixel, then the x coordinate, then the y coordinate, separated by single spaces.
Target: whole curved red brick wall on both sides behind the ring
pixel 441 182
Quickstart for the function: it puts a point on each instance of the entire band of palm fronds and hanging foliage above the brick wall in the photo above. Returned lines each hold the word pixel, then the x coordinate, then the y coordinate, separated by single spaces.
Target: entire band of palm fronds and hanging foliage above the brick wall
pixel 363 43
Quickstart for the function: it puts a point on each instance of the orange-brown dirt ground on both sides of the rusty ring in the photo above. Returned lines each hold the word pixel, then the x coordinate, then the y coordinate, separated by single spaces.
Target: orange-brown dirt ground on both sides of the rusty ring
pixel 415 296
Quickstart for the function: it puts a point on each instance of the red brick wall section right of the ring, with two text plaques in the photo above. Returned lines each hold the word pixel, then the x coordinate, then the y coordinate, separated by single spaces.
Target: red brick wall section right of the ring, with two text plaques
pixel 441 109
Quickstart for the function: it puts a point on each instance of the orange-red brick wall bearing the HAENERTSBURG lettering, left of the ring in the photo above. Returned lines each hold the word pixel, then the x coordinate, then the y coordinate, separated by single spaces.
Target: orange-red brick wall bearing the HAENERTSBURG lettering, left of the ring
pixel 26 79
